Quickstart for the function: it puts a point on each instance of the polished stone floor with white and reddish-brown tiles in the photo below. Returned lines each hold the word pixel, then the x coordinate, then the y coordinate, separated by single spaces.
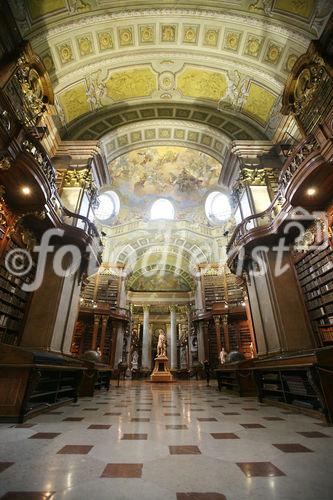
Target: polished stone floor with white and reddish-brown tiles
pixel 179 441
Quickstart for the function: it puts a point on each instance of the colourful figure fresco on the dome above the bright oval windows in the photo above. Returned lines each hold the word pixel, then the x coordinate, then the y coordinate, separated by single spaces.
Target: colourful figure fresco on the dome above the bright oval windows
pixel 180 174
